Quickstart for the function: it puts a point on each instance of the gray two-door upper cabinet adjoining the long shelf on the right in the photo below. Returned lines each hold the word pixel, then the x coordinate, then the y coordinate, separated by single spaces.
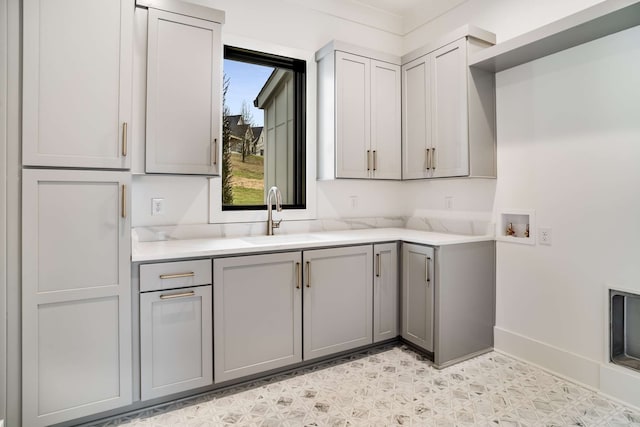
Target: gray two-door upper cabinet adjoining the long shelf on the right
pixel 448 113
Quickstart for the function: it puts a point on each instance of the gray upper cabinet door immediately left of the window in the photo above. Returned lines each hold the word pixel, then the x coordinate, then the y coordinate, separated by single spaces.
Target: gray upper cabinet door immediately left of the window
pixel 183 94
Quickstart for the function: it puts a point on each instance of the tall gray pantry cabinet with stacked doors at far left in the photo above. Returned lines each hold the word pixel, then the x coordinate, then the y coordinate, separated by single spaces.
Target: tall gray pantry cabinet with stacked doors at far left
pixel 76 250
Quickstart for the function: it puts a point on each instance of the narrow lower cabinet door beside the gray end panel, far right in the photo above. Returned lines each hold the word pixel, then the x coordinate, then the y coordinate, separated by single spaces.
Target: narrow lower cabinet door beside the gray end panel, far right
pixel 418 295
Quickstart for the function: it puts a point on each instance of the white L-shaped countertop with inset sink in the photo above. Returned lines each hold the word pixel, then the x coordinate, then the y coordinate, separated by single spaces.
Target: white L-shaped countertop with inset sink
pixel 194 248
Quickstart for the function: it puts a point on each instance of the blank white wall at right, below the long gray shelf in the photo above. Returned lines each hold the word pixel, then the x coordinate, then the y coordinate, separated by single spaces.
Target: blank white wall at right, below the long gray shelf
pixel 569 147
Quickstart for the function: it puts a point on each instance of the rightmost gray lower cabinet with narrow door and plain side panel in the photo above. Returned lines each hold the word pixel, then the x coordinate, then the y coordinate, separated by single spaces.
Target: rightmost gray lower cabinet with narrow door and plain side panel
pixel 449 299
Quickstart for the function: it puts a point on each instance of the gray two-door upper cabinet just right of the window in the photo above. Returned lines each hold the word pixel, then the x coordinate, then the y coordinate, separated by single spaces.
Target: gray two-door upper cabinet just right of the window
pixel 359 113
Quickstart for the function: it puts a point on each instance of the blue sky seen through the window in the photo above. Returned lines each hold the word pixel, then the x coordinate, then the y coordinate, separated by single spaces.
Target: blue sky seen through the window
pixel 245 82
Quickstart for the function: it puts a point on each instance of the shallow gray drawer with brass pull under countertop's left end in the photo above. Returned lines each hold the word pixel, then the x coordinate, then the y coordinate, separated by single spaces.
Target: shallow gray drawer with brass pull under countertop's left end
pixel 170 275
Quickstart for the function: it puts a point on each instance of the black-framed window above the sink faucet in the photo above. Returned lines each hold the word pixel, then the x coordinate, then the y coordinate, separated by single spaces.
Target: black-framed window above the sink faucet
pixel 263 129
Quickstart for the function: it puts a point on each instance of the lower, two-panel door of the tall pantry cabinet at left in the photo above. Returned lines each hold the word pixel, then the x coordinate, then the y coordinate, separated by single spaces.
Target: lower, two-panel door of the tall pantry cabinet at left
pixel 76 296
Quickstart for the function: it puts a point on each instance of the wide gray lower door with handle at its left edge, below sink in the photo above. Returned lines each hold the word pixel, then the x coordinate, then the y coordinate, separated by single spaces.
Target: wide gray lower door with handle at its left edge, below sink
pixel 338 300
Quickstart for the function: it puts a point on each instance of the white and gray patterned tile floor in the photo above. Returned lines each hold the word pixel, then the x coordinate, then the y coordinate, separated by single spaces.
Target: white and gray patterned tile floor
pixel 396 386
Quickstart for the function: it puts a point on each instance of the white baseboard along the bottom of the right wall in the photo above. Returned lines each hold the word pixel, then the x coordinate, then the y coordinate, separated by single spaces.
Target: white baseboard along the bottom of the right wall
pixel 619 384
